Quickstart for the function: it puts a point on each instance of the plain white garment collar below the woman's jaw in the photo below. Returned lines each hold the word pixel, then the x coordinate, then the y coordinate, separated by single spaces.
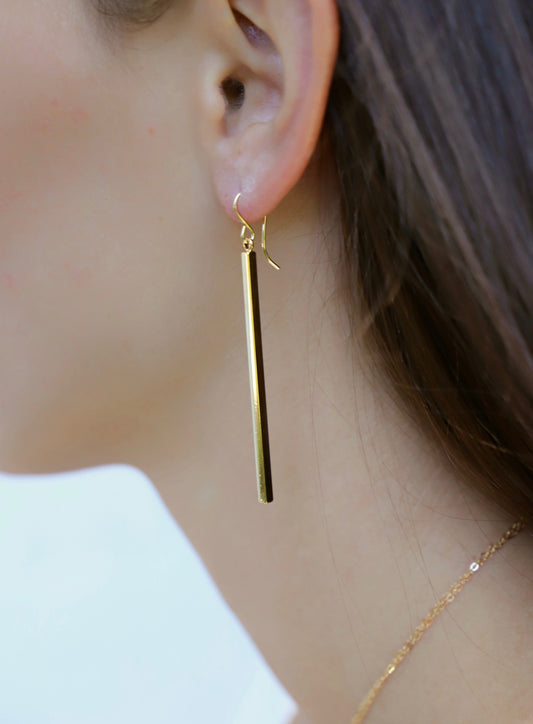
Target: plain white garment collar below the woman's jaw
pixel 107 614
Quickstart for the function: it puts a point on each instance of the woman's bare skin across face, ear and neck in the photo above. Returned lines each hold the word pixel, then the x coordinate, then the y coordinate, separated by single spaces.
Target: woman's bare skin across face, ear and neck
pixel 124 342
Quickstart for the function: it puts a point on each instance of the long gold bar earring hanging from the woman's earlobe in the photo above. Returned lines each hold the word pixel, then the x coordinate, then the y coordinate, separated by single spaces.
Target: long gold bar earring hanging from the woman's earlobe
pixel 255 355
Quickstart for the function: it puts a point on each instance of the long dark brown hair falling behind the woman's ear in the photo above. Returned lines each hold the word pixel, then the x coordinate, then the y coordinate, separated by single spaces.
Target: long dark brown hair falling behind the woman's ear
pixel 430 119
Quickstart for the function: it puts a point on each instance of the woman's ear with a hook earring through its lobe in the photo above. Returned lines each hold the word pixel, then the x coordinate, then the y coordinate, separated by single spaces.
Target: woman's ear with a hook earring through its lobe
pixel 267 82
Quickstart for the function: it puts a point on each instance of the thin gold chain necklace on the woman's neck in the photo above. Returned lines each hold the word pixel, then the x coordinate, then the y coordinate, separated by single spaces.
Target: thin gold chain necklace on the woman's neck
pixel 422 627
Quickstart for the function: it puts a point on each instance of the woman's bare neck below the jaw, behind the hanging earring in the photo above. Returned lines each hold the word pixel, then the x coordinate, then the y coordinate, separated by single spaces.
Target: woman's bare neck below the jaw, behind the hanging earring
pixel 369 526
